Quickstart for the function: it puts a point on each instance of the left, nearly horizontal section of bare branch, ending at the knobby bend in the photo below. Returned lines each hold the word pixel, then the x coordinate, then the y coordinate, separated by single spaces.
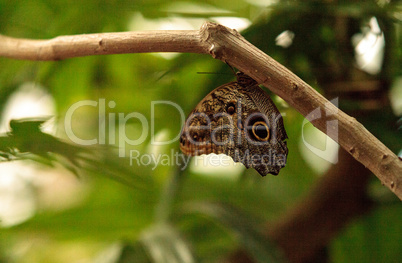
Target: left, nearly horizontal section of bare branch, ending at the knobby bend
pixel 62 47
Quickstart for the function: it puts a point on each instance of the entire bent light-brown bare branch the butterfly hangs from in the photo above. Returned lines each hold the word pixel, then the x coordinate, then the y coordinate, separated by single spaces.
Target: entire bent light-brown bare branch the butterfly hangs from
pixel 229 46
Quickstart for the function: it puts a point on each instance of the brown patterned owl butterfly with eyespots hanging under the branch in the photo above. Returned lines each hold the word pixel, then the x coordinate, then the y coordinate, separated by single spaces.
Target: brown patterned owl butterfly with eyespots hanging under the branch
pixel 240 120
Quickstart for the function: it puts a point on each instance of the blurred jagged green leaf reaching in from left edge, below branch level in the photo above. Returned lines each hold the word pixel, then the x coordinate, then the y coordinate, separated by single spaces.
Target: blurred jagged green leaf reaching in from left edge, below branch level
pixel 27 141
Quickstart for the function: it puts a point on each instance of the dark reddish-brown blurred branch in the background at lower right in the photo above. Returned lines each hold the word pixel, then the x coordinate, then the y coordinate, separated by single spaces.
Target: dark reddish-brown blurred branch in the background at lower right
pixel 306 230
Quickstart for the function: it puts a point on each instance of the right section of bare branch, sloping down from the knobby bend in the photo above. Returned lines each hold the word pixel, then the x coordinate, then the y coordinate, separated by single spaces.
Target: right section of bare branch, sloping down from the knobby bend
pixel 230 46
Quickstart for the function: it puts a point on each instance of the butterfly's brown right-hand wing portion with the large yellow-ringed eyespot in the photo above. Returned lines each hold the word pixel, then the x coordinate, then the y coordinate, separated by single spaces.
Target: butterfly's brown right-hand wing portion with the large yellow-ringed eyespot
pixel 263 146
